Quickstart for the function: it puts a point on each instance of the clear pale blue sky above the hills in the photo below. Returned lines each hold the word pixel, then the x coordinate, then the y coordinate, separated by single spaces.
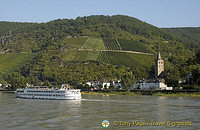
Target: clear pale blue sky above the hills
pixel 160 13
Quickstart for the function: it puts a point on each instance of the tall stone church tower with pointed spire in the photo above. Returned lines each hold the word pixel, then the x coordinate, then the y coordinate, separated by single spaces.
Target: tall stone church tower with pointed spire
pixel 159 66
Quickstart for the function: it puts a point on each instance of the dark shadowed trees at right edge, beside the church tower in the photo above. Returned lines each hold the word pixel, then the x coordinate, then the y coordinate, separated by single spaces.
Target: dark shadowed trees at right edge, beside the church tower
pixel 189 70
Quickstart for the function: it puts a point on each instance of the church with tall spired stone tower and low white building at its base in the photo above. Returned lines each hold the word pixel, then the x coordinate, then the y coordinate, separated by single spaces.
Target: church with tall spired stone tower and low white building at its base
pixel 158 82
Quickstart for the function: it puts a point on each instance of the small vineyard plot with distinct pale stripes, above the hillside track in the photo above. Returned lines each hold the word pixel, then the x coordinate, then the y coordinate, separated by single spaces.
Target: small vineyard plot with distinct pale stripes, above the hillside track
pixel 111 44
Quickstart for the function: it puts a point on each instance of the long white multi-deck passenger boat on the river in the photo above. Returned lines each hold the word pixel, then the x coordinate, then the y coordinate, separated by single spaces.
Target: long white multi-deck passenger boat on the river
pixel 64 93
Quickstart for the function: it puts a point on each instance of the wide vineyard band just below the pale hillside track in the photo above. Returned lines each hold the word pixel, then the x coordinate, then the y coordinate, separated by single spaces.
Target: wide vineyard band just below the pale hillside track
pixel 117 58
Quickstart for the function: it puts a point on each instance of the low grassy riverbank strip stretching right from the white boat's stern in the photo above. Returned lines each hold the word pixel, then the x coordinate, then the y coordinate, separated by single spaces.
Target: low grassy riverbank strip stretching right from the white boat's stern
pixel 181 94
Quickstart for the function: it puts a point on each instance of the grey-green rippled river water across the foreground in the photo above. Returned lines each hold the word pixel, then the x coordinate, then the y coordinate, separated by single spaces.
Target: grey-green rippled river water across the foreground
pixel 89 112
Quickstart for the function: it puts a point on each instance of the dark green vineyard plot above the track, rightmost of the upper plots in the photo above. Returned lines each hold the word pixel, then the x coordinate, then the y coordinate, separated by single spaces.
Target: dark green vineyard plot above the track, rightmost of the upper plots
pixel 132 45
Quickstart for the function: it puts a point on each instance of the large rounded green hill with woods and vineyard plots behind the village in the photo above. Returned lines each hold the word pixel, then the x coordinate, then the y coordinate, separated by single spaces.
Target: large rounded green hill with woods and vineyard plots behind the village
pixel 76 50
